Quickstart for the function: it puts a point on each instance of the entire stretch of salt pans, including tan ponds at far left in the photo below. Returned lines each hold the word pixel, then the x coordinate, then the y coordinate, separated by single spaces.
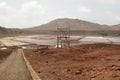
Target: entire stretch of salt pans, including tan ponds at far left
pixel 51 40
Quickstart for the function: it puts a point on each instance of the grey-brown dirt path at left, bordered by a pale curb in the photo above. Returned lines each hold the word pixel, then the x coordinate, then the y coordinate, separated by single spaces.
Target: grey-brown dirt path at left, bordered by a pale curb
pixel 14 67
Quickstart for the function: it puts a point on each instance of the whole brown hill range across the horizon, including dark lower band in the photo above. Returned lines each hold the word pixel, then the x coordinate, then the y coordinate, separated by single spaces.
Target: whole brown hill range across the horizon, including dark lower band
pixel 76 26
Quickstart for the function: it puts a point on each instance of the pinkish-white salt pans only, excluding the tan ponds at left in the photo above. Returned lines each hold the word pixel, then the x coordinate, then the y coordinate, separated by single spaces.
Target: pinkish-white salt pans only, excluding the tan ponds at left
pixel 51 40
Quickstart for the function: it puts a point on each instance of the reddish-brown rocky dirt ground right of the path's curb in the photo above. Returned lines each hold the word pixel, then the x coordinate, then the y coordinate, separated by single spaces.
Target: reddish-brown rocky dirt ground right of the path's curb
pixel 84 62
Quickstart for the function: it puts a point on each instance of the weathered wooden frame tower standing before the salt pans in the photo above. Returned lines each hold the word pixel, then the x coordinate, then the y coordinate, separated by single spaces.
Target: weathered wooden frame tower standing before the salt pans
pixel 63 37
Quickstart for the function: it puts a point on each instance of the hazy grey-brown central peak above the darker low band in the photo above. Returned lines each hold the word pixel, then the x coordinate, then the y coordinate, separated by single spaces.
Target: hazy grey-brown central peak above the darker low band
pixel 74 24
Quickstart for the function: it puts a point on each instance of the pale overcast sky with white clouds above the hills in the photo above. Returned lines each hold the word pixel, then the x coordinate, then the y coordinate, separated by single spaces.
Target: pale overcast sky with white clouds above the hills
pixel 30 13
